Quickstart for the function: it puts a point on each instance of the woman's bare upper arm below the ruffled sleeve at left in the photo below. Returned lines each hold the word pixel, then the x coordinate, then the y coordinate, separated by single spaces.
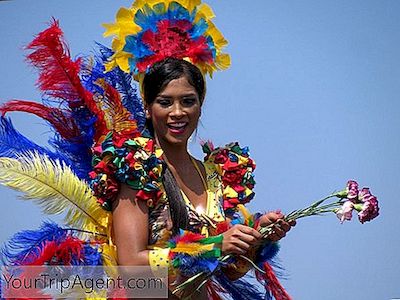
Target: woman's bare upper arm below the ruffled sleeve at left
pixel 130 228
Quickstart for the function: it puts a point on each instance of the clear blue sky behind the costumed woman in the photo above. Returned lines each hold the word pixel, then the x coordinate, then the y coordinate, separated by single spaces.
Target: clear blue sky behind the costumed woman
pixel 313 90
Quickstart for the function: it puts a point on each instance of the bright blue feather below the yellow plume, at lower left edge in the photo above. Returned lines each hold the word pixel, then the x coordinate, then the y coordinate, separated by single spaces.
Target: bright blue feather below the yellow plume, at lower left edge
pixel 28 242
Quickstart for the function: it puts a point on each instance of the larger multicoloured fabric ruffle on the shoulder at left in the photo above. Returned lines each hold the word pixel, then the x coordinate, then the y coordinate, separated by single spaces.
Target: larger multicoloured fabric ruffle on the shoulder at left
pixel 135 162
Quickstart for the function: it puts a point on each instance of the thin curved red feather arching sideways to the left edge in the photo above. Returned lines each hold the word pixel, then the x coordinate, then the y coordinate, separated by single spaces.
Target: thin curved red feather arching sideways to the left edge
pixel 58 118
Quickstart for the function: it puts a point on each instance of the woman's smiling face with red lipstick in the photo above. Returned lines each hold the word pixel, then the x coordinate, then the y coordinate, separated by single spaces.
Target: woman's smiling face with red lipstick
pixel 175 112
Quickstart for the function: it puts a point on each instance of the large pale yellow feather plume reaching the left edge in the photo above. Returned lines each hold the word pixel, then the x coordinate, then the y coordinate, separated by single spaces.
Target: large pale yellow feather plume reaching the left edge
pixel 56 189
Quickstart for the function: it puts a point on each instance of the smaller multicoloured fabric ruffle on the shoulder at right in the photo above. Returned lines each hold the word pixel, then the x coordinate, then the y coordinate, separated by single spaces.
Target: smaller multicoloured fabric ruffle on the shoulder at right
pixel 236 170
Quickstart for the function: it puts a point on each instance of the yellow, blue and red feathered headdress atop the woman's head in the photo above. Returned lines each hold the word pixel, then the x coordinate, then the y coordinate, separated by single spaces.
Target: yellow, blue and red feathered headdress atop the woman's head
pixel 150 31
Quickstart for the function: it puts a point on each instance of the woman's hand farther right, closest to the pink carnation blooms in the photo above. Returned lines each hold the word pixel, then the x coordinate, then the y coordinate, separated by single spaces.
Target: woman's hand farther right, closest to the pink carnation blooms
pixel 280 228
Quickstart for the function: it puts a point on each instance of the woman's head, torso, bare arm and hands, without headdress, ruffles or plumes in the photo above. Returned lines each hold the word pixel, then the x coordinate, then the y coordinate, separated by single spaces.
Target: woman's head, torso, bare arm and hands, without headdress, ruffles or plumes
pixel 174 91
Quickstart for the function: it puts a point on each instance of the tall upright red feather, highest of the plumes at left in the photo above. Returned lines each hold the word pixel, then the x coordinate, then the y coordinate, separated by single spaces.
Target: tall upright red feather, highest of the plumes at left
pixel 59 74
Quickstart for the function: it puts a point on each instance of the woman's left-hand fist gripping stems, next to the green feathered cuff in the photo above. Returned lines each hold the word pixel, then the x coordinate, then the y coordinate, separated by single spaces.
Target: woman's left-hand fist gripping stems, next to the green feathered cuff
pixel 239 239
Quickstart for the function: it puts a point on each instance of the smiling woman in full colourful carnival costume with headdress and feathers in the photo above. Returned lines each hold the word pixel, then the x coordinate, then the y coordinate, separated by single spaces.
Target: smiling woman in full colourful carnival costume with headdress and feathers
pixel 152 184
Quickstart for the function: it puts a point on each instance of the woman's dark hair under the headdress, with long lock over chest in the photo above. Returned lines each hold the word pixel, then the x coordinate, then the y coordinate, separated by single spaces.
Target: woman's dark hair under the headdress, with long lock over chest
pixel 155 80
